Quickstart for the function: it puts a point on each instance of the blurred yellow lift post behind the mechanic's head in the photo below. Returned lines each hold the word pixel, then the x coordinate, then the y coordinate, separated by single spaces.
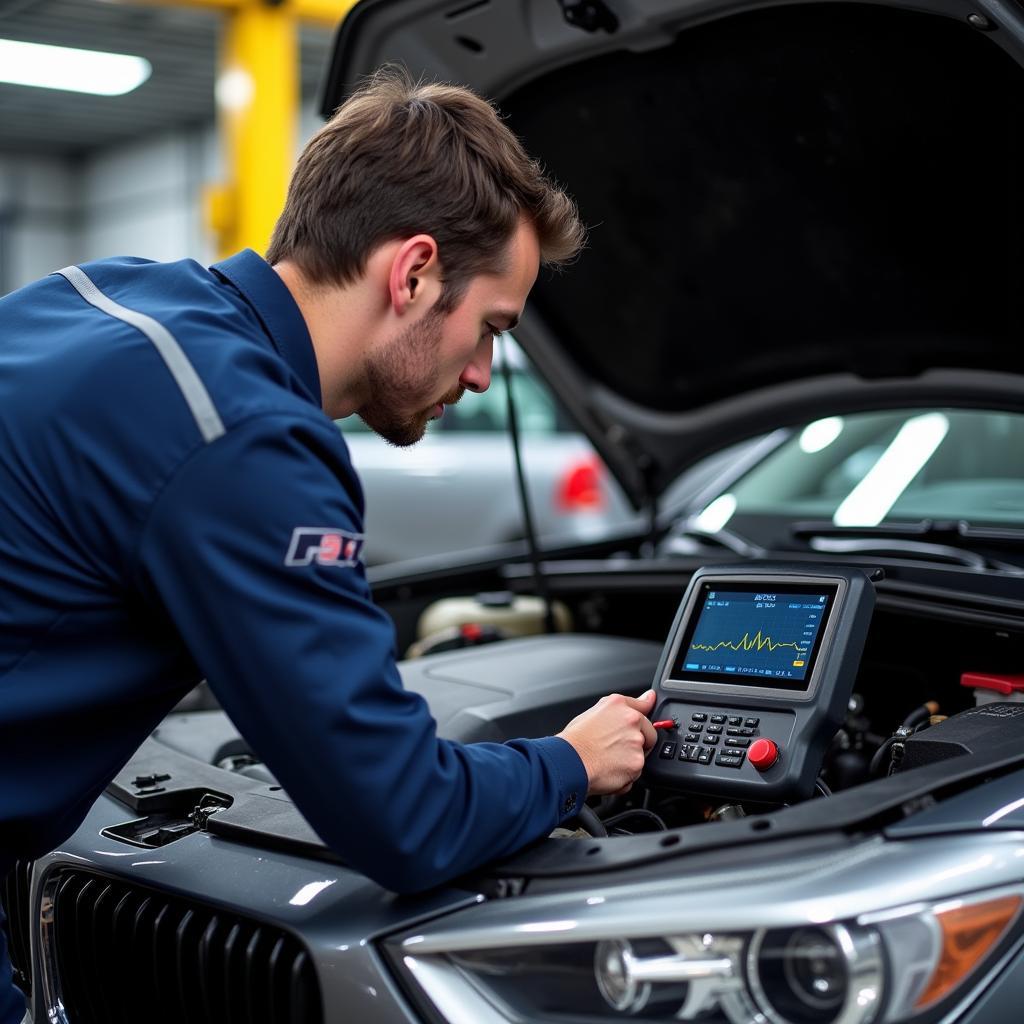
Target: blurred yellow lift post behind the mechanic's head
pixel 258 111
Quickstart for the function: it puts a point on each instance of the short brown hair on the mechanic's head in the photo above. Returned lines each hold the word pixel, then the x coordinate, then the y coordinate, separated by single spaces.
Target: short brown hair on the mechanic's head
pixel 401 158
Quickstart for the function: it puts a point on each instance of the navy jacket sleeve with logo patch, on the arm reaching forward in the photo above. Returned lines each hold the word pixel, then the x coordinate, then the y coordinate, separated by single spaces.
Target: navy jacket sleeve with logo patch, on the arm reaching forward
pixel 249 549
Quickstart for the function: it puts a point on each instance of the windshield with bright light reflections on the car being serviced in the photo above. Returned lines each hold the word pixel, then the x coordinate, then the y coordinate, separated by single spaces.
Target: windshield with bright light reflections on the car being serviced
pixel 870 468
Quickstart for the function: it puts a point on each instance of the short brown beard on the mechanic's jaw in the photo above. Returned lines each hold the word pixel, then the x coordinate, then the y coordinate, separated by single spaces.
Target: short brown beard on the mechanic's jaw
pixel 403 379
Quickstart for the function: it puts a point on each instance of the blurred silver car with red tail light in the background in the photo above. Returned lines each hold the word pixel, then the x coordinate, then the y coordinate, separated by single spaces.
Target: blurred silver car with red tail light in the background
pixel 456 491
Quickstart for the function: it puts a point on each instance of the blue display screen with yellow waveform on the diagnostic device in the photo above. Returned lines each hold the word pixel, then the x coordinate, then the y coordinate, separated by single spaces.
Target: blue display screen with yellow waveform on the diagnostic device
pixel 756 634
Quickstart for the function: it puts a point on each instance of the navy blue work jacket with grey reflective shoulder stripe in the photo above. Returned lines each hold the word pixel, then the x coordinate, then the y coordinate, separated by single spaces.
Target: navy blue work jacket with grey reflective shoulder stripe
pixel 175 505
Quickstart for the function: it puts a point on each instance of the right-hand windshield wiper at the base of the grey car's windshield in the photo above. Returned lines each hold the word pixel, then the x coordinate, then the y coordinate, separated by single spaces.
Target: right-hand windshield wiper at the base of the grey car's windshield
pixel 948 541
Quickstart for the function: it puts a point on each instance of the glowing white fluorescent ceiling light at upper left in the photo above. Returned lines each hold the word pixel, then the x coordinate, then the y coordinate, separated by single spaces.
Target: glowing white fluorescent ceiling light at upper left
pixel 76 71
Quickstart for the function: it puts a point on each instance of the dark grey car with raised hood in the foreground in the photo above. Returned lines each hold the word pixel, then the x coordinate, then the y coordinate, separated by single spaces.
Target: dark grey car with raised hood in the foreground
pixel 807 239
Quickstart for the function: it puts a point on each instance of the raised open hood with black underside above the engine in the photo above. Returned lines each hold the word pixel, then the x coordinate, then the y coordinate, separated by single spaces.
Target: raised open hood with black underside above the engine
pixel 795 211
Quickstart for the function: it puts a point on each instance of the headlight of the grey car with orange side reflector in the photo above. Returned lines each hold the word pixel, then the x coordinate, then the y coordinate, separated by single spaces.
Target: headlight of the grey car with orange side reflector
pixel 885 967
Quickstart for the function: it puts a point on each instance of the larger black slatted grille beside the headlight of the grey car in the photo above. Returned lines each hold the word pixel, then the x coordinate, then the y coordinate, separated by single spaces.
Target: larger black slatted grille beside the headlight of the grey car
pixel 125 953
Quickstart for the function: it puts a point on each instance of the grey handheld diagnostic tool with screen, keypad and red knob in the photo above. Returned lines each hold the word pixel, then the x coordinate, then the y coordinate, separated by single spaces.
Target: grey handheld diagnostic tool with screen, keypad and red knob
pixel 758 672
